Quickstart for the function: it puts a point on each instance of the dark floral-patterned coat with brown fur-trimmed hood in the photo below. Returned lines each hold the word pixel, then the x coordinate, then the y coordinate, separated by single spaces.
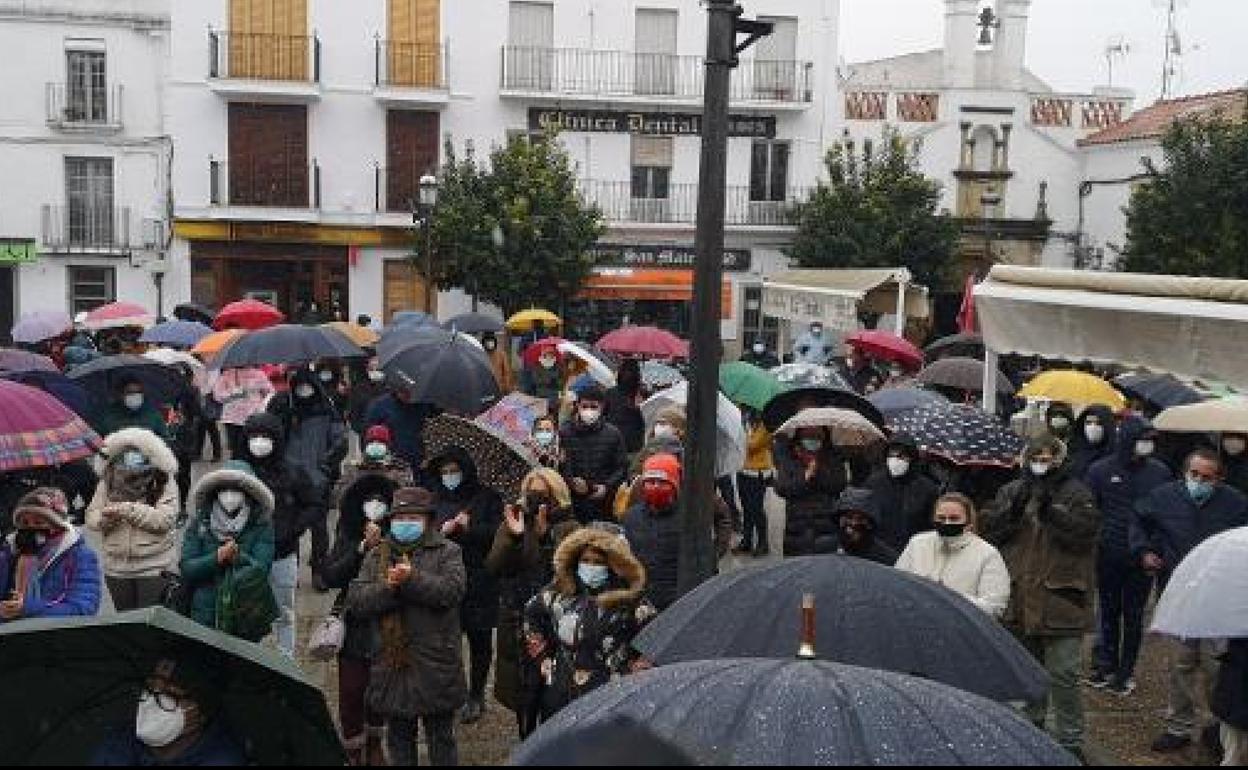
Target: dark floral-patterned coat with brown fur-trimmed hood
pixel 587 635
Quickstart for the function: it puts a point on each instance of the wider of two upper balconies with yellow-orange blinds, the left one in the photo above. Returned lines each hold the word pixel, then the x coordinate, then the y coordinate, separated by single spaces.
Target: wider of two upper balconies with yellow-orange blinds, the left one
pixel 259 67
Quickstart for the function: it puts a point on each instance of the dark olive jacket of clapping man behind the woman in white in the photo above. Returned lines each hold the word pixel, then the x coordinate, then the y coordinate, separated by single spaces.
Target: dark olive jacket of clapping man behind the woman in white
pixel 1046 530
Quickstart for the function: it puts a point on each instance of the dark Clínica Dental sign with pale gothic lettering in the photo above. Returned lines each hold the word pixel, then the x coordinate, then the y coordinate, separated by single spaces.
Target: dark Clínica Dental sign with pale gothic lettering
pixel 650 124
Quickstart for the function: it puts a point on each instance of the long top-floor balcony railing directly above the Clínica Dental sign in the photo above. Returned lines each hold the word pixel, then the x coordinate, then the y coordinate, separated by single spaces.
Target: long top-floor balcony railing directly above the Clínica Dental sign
pixel 647 79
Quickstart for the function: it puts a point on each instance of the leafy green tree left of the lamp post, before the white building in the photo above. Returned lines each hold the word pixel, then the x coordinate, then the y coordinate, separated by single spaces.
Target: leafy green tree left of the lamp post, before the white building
pixel 516 234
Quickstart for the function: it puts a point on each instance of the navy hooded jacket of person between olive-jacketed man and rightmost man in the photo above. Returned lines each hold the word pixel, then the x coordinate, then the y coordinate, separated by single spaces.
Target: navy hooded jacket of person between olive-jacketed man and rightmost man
pixel 1118 484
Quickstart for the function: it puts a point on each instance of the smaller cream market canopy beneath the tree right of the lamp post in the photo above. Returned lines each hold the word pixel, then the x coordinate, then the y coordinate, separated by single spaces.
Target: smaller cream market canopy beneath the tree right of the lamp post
pixel 837 296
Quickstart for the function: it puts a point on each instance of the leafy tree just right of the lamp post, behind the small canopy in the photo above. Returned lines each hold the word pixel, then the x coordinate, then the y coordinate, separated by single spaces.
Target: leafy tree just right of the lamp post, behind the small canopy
pixel 875 210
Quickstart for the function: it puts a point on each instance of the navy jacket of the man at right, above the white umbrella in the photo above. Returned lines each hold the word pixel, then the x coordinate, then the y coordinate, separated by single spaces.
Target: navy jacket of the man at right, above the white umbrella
pixel 1169 524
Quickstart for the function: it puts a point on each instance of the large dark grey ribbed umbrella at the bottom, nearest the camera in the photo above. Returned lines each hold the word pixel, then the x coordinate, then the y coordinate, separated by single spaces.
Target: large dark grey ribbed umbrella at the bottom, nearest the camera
pixel 794 713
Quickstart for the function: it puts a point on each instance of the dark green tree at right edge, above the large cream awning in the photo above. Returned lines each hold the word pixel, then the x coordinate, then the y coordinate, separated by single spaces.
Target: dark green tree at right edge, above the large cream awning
pixel 1192 218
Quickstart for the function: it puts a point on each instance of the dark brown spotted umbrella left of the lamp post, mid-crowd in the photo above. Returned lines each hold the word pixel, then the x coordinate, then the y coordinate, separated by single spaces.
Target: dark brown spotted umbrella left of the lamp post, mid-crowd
pixel 501 462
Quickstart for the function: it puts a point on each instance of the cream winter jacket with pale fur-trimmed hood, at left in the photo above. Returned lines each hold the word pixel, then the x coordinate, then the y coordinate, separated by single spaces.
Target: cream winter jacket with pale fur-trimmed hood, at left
pixel 142 540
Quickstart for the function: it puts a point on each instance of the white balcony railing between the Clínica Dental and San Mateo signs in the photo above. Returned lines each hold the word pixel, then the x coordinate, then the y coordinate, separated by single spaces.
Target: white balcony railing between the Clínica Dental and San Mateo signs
pixel 681 208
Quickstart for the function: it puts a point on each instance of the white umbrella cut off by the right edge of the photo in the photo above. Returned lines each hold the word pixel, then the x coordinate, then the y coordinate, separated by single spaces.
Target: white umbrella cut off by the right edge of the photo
pixel 1207 595
